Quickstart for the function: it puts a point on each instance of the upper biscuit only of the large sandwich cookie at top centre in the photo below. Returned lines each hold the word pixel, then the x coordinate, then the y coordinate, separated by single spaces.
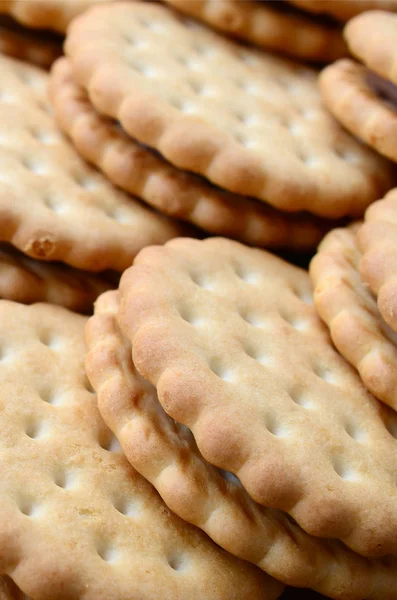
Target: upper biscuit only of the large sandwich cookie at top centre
pixel 250 122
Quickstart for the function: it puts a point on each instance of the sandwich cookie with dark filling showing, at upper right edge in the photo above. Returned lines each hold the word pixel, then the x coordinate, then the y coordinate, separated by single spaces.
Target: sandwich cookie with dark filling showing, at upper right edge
pixel 363 98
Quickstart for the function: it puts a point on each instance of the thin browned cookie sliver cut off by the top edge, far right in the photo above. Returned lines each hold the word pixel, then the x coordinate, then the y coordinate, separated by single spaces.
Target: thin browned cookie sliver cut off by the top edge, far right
pixel 343 10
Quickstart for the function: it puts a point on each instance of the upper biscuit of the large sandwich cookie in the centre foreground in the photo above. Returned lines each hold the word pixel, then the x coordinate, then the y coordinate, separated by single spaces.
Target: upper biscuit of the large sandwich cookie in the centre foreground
pixel 229 337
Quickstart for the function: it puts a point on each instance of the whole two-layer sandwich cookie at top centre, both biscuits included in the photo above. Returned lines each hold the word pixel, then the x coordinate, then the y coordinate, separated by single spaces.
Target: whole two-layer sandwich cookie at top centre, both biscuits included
pixel 159 102
